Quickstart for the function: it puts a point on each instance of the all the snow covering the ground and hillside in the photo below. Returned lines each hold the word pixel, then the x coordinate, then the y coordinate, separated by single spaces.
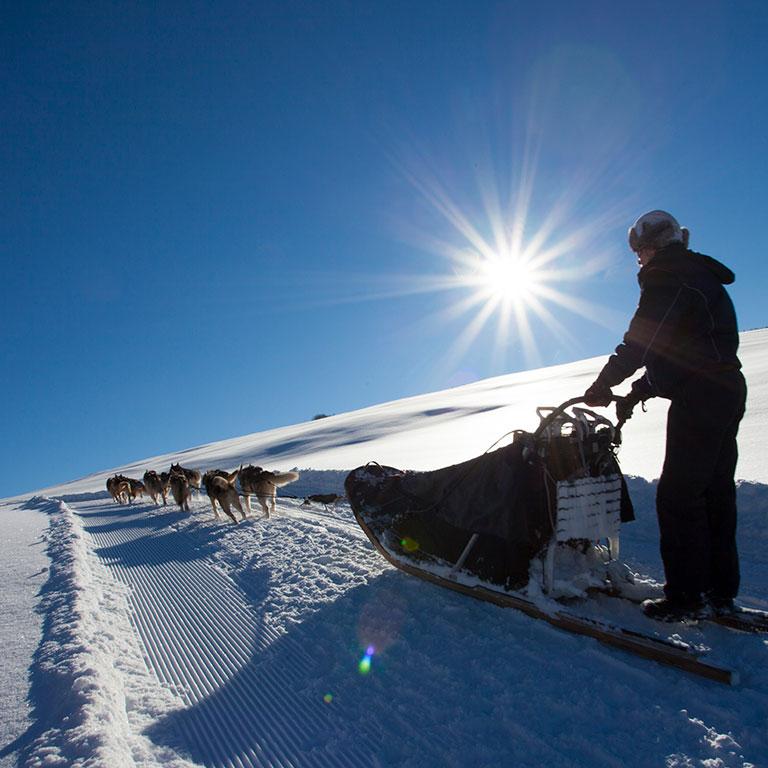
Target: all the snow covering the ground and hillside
pixel 143 636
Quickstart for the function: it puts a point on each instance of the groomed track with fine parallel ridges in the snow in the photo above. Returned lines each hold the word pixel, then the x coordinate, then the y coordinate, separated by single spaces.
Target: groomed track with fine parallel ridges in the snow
pixel 205 641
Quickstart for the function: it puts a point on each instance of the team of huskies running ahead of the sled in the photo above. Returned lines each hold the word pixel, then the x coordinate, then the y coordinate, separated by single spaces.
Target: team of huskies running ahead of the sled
pixel 219 486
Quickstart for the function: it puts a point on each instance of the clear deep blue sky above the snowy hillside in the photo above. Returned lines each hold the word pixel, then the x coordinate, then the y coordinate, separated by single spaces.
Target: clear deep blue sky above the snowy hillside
pixel 219 218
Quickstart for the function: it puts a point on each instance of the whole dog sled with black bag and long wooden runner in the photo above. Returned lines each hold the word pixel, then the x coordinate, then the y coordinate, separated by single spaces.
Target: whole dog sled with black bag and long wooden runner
pixel 530 526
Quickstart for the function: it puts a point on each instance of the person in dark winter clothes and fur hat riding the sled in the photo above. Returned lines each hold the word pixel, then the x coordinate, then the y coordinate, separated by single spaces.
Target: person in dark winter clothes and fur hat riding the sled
pixel 684 333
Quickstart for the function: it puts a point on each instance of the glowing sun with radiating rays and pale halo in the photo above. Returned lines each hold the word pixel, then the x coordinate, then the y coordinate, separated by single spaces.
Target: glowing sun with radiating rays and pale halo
pixel 504 262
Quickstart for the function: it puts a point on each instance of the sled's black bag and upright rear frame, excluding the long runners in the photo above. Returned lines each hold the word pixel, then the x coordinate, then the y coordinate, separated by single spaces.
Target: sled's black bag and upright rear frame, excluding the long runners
pixel 506 516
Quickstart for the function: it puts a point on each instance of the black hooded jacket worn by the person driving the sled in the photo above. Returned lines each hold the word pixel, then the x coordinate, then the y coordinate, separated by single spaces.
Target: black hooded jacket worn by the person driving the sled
pixel 684 325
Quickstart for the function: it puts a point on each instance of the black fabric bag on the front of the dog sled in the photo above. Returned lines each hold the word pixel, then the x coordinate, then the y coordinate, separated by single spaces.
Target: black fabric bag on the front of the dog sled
pixel 507 497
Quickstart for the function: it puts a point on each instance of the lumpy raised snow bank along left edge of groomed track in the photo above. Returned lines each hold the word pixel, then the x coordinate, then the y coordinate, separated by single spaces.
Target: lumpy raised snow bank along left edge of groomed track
pixel 84 660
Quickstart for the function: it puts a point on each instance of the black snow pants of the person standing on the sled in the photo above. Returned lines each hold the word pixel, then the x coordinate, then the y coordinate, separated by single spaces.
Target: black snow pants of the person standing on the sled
pixel 696 495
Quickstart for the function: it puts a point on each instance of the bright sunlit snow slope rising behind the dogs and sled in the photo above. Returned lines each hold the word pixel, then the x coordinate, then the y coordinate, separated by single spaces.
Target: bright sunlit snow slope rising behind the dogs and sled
pixel 443 428
